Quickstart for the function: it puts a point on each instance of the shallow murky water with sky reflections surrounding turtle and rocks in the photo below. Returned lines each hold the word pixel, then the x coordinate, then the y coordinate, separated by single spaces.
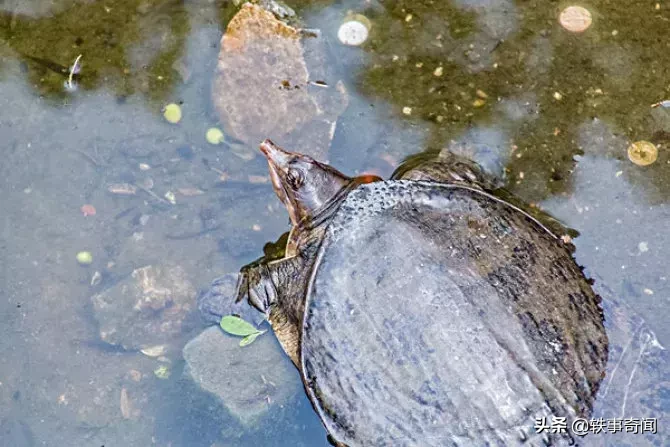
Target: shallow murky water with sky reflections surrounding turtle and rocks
pixel 555 115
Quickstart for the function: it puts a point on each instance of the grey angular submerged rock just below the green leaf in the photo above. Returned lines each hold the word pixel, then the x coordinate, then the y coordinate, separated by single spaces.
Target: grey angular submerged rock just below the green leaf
pixel 249 382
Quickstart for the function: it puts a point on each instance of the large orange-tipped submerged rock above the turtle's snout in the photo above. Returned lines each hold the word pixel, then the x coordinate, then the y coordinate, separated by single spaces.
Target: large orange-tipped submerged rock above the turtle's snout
pixel 272 80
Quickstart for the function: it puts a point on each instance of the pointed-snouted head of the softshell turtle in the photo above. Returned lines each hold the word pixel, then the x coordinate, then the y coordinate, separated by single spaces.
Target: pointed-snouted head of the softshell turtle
pixel 303 184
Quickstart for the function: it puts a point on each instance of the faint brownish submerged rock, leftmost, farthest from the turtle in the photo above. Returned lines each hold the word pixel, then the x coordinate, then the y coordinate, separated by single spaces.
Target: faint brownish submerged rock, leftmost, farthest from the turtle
pixel 145 309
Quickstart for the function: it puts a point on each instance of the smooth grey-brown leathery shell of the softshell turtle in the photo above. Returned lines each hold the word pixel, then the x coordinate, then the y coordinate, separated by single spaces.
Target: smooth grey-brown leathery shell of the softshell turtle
pixel 440 315
